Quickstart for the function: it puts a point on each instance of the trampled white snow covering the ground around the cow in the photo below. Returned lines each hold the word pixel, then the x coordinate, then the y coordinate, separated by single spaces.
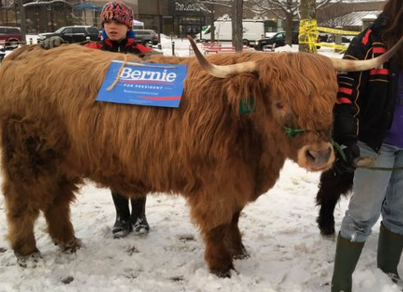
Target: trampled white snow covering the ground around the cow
pixel 287 253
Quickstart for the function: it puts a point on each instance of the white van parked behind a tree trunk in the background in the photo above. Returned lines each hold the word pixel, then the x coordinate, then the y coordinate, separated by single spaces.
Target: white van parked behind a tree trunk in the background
pixel 253 30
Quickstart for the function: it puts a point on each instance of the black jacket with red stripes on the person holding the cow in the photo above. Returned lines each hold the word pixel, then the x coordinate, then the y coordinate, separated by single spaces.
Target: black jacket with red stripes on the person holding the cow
pixel 366 99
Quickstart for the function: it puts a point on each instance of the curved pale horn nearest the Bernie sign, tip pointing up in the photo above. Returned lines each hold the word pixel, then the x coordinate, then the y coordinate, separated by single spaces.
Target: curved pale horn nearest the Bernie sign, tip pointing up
pixel 221 71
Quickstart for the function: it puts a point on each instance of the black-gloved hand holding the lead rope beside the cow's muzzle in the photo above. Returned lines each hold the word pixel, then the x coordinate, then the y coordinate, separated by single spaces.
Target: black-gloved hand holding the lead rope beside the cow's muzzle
pixel 346 163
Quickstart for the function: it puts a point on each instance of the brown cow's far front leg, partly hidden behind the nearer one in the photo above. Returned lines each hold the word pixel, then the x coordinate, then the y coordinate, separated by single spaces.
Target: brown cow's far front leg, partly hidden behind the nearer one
pixel 233 239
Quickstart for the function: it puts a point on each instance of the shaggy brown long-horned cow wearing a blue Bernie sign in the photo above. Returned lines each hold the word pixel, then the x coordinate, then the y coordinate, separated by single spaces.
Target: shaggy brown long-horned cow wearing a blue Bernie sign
pixel 54 133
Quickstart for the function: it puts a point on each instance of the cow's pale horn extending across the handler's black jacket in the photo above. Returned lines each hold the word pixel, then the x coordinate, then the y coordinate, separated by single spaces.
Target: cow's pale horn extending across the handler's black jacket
pixel 362 65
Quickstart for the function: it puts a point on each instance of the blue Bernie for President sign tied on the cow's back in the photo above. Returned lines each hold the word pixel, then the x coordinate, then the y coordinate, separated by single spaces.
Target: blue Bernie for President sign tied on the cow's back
pixel 143 84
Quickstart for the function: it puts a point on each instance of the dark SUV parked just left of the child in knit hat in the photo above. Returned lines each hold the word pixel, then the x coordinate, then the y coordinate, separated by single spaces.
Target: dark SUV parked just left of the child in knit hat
pixel 73 34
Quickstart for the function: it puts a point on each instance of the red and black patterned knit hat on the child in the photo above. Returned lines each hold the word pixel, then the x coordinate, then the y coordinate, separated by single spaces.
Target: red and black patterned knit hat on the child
pixel 117 11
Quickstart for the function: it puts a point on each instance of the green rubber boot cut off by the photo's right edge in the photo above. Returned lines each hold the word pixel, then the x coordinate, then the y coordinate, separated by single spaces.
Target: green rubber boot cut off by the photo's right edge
pixel 390 246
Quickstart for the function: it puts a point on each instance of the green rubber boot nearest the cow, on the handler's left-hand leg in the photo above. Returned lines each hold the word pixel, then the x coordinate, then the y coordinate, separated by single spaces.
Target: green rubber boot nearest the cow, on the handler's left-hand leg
pixel 347 255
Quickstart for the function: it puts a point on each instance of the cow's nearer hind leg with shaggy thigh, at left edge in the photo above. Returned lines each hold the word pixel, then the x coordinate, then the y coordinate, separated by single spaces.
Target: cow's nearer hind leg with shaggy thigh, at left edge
pixel 31 160
